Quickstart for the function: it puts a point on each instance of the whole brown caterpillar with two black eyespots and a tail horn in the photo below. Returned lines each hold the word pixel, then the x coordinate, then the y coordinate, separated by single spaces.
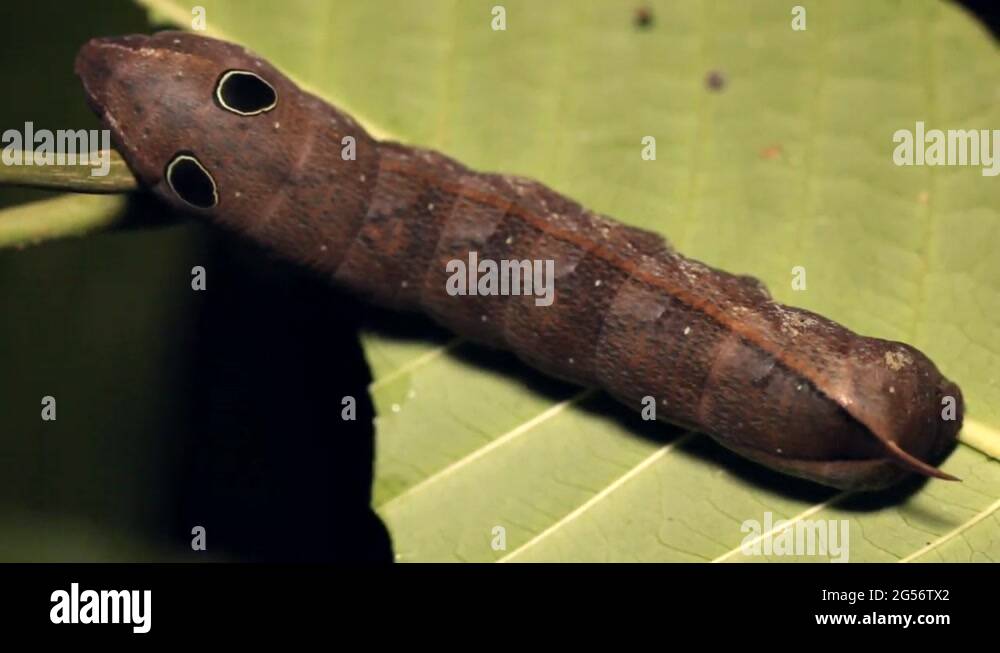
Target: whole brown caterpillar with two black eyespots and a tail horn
pixel 782 386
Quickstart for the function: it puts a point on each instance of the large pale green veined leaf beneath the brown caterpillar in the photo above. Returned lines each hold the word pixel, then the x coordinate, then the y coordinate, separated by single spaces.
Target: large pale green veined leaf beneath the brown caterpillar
pixel 788 164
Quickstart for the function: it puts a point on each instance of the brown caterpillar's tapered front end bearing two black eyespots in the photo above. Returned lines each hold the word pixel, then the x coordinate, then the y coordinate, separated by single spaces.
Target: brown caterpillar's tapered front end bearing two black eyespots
pixel 214 129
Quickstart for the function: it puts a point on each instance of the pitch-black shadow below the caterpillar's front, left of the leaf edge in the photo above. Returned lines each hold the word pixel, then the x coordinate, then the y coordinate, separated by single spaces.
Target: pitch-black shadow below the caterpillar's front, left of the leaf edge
pixel 271 470
